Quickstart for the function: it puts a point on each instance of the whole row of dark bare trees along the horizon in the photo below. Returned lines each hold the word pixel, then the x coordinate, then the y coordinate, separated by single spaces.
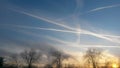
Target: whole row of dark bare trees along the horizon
pixel 35 59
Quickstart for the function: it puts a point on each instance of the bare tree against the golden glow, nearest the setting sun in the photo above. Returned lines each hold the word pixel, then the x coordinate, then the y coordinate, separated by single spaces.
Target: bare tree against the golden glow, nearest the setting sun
pixel 92 56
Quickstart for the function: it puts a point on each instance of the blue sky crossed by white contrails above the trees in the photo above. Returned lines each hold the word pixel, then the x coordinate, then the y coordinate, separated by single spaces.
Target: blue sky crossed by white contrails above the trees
pixel 68 25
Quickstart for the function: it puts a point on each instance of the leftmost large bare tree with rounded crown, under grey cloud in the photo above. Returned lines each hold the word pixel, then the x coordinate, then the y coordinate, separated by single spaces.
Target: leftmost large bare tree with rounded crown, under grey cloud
pixel 30 57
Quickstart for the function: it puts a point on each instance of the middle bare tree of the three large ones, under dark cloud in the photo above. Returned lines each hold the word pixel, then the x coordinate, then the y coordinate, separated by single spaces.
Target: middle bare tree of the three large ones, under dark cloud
pixel 58 58
